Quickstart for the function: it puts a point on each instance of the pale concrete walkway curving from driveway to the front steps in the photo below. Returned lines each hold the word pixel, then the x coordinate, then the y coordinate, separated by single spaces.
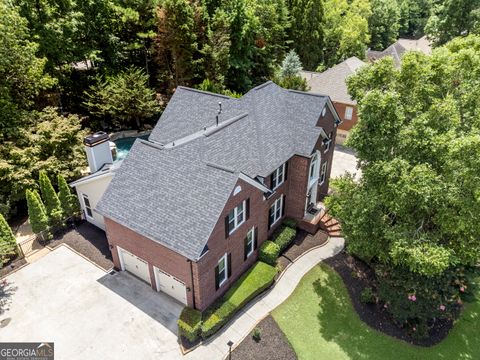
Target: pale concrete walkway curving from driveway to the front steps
pixel 246 320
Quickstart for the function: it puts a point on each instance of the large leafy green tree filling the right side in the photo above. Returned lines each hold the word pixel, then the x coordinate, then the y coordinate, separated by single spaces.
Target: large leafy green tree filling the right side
pixel 414 213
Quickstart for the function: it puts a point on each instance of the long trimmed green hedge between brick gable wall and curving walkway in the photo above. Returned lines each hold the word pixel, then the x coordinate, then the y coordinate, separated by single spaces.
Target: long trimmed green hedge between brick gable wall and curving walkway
pixel 250 284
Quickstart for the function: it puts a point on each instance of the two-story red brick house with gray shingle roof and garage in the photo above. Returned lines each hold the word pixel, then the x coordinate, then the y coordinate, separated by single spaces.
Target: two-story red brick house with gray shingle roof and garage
pixel 189 208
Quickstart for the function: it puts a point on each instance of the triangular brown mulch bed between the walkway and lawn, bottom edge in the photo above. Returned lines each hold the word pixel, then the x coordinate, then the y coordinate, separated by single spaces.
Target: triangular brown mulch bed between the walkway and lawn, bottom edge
pixel 272 344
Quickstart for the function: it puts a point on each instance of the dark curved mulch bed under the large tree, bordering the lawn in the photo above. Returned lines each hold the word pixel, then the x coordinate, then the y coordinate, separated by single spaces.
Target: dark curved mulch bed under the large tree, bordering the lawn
pixel 374 314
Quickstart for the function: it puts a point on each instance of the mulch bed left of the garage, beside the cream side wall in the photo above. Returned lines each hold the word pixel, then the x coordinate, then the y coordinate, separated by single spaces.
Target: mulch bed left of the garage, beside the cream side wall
pixel 89 241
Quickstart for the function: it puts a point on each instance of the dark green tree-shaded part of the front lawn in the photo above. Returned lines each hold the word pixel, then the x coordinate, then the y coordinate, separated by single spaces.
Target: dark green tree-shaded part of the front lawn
pixel 340 324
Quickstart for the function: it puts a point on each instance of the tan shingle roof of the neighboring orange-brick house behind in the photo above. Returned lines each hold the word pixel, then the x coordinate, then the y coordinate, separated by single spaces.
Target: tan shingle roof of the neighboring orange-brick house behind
pixel 332 82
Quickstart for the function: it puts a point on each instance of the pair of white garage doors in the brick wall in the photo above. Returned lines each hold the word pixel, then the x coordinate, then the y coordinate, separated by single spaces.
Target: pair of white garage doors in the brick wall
pixel 164 282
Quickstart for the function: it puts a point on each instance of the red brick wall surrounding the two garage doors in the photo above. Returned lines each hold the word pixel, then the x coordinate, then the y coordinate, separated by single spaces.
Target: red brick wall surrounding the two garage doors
pixel 152 252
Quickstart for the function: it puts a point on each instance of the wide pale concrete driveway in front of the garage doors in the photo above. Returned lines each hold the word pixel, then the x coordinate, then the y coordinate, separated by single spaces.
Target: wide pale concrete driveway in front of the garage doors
pixel 86 312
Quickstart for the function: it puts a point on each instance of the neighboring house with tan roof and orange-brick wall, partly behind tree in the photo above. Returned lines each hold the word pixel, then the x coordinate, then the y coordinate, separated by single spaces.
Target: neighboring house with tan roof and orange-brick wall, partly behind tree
pixel 332 82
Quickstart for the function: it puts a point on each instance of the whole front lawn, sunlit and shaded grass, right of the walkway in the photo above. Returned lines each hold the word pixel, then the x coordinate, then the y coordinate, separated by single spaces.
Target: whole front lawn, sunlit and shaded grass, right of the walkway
pixel 320 322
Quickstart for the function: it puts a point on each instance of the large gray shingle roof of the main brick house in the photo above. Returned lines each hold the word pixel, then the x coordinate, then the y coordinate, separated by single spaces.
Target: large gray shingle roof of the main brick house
pixel 174 193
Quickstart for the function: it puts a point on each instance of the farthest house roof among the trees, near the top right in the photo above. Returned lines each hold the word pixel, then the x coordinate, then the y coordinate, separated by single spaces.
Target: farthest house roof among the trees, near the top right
pixel 397 49
